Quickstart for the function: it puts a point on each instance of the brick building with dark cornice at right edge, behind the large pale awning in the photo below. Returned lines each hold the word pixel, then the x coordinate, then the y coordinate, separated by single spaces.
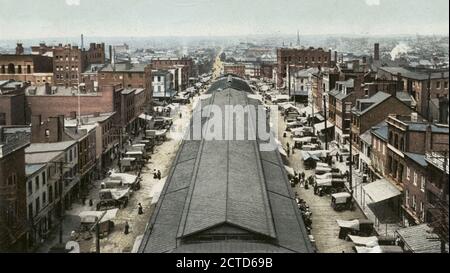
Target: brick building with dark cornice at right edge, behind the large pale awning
pixel 409 139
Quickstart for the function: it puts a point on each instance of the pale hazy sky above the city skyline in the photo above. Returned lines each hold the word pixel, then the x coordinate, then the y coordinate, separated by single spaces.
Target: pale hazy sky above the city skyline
pixel 62 18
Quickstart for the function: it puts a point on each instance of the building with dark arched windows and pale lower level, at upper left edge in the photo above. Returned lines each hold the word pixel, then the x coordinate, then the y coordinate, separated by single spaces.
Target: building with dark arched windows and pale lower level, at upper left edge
pixel 33 69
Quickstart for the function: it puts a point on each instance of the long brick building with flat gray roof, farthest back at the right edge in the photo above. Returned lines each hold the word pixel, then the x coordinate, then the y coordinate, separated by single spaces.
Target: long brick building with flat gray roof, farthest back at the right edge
pixel 417 84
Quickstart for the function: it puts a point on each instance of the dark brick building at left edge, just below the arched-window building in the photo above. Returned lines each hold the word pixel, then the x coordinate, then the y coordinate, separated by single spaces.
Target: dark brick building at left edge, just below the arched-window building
pixel 13 106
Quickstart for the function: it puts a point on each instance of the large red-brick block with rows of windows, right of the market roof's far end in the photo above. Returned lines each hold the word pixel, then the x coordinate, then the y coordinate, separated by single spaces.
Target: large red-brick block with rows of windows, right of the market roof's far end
pixel 302 58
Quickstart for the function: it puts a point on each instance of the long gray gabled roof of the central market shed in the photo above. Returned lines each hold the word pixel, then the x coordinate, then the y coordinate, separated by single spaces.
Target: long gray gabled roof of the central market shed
pixel 228 190
